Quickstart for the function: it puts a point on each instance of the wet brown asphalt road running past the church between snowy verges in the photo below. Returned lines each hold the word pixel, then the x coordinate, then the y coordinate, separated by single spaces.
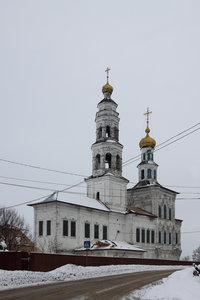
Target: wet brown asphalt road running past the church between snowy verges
pixel 104 288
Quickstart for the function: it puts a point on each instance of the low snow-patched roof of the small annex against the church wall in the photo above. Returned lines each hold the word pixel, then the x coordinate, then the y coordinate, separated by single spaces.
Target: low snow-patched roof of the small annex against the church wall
pixel 112 245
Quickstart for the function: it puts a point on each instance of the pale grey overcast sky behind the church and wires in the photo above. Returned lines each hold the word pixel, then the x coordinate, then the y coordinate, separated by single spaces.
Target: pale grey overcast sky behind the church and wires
pixel 53 56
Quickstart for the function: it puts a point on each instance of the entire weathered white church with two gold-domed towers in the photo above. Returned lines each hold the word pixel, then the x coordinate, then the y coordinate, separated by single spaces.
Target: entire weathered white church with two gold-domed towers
pixel 136 222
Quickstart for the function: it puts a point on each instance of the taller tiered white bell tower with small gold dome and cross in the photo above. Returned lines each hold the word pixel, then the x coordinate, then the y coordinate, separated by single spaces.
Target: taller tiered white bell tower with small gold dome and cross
pixel 106 183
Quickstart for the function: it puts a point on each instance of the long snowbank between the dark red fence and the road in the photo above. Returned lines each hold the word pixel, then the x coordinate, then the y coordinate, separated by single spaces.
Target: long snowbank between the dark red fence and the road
pixel 13 279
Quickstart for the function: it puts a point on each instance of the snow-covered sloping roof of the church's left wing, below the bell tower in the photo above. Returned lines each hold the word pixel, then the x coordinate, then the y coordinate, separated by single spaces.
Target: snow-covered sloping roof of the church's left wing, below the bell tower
pixel 80 200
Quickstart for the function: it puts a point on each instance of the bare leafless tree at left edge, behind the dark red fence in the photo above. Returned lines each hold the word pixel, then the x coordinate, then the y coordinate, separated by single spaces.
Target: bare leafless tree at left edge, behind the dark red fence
pixel 14 231
